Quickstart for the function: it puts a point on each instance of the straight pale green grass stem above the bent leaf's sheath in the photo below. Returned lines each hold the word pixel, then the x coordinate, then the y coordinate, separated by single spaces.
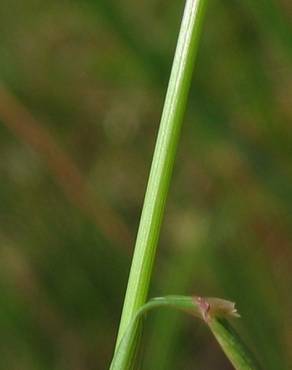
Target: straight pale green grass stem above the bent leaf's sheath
pixel 162 163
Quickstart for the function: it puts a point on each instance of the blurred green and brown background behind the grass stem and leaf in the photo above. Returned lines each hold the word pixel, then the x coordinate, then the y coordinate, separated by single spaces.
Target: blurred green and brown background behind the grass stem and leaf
pixel 81 93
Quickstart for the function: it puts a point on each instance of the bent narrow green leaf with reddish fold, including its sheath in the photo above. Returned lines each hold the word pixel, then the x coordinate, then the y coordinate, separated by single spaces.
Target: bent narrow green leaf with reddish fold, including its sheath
pixel 213 311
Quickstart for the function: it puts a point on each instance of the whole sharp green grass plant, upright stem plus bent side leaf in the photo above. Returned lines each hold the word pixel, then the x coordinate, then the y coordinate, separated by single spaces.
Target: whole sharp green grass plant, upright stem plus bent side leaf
pixel 210 310
